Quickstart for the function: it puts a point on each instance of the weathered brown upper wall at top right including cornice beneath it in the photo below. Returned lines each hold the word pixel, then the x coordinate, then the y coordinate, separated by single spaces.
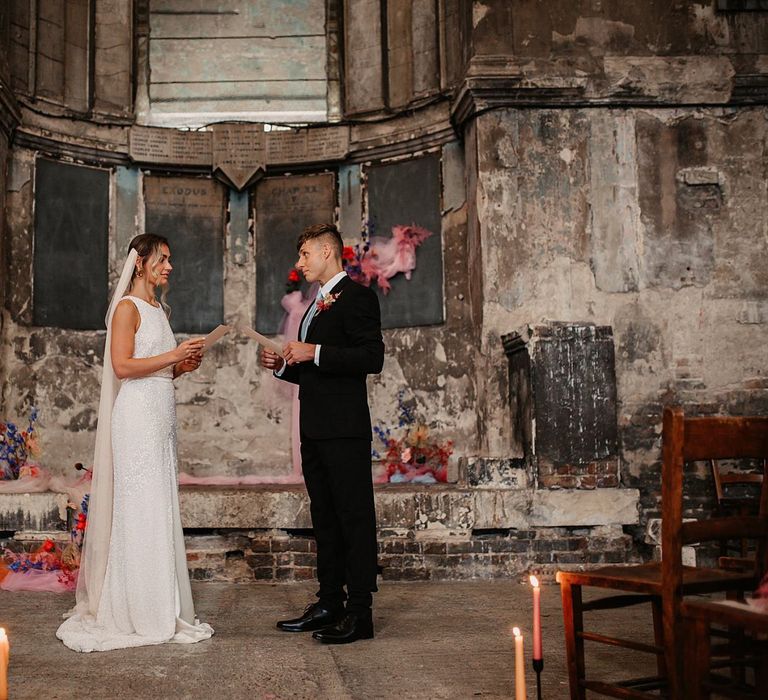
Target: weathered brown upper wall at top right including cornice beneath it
pixel 575 53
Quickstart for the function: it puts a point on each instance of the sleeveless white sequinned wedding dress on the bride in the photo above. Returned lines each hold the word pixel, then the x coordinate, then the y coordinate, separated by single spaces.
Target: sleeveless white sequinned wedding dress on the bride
pixel 146 597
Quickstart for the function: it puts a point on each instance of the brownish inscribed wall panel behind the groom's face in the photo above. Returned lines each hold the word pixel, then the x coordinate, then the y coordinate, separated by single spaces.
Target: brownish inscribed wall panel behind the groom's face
pixel 285 206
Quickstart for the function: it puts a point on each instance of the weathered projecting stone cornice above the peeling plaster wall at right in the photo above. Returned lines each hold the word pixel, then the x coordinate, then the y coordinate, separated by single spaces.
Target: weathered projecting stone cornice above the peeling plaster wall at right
pixel 493 82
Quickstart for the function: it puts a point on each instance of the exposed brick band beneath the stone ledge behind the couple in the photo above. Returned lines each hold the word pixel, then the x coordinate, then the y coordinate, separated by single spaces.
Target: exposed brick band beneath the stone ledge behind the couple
pixel 280 555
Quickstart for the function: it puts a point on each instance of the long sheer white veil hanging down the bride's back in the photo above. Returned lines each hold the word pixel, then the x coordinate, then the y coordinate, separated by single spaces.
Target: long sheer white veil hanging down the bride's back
pixel 93 560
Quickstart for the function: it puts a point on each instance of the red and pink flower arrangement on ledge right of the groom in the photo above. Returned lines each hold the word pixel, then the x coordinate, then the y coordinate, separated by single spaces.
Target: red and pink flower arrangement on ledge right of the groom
pixel 409 453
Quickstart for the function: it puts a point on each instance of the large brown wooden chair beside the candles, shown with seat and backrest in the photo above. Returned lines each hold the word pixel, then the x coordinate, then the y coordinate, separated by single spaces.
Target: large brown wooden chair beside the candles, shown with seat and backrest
pixel 663 584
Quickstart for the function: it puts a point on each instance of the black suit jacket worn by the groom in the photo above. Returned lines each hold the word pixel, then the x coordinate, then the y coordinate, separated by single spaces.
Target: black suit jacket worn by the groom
pixel 333 396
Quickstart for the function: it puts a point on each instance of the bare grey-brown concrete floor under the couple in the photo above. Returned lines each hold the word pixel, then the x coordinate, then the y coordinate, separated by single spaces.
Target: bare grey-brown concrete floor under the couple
pixel 433 640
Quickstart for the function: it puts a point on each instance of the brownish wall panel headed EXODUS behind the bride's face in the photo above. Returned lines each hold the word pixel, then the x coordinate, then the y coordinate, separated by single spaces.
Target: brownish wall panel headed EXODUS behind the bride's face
pixel 189 212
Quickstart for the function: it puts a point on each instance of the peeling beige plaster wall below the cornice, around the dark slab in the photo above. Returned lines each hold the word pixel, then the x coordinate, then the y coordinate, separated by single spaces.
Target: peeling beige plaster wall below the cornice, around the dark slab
pixel 654 222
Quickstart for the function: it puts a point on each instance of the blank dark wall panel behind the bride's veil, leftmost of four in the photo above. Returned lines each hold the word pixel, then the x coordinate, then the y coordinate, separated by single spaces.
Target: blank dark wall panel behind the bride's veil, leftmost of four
pixel 71 237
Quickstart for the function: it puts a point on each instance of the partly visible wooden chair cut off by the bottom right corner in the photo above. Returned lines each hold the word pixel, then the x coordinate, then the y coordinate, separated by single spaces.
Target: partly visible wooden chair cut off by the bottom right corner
pixel 699 682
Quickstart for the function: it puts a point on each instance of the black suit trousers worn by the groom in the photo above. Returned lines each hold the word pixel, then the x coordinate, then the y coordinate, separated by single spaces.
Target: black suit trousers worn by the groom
pixel 337 473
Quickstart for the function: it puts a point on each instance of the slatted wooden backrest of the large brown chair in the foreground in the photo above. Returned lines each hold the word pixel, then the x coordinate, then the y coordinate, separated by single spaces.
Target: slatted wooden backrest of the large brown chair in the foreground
pixel 709 438
